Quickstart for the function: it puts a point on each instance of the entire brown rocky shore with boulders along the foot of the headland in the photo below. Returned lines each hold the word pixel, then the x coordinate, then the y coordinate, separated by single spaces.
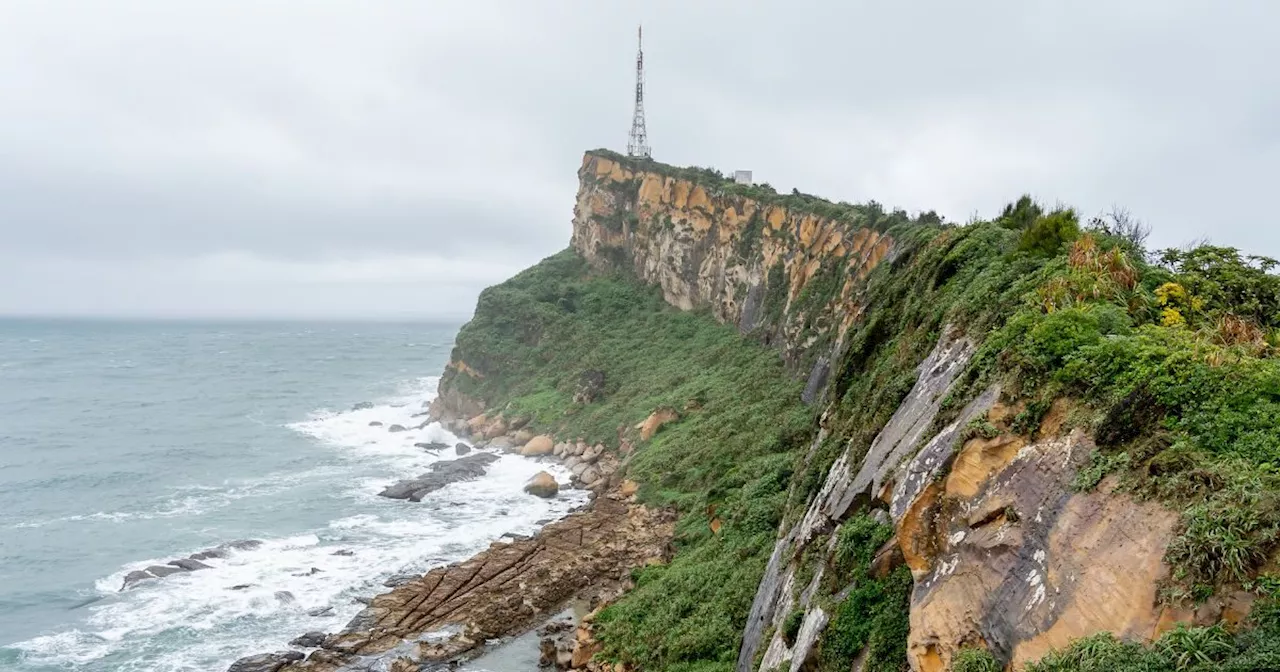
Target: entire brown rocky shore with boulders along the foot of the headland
pixel 454 612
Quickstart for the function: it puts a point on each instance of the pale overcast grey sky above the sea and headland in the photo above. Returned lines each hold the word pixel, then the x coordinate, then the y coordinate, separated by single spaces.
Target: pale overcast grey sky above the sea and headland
pixel 272 159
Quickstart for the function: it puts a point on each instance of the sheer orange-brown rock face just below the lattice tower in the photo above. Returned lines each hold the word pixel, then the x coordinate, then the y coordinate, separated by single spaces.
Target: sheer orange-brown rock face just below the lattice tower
pixel 790 275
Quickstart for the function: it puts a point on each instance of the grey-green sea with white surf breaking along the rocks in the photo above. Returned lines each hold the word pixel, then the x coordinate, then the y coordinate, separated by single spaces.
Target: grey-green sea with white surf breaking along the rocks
pixel 134 444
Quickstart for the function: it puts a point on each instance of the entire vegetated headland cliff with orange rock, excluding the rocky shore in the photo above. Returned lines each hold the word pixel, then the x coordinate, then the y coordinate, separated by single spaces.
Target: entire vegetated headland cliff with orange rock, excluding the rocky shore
pixel 1023 444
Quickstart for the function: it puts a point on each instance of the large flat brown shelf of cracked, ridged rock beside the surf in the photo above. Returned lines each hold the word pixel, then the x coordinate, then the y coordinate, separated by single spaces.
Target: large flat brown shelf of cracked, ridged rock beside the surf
pixel 456 609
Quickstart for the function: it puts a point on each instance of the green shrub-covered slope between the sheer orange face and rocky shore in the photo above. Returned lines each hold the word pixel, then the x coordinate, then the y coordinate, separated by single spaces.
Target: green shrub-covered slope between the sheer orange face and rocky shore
pixel 732 452
